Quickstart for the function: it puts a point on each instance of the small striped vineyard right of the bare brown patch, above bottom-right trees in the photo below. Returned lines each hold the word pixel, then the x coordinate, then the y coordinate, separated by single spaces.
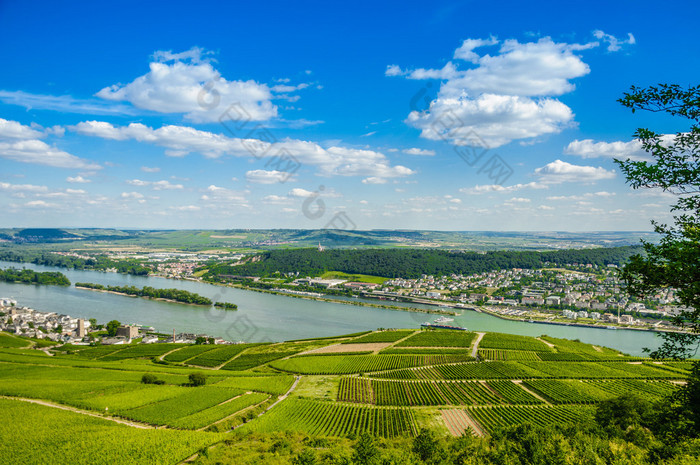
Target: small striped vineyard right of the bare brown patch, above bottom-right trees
pixel 491 418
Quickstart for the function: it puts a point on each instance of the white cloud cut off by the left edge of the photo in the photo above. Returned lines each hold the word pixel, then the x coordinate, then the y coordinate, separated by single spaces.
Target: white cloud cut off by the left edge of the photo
pixel 21 143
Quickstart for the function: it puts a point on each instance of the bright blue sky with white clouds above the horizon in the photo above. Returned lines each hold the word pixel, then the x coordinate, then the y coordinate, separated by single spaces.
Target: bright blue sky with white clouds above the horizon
pixel 426 115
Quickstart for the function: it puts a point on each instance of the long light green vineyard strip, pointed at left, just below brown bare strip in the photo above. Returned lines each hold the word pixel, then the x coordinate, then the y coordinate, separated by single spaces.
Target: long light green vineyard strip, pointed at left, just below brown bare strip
pixel 343 364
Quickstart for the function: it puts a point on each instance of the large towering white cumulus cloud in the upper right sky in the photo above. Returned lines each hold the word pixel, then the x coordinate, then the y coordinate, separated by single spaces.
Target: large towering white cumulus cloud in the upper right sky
pixel 503 96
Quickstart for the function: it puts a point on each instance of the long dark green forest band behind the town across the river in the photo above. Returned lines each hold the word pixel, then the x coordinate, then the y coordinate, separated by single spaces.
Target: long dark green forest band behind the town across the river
pixel 412 263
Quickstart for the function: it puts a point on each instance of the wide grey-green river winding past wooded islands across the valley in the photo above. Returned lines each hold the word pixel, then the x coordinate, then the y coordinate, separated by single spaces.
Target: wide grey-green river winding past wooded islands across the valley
pixel 268 317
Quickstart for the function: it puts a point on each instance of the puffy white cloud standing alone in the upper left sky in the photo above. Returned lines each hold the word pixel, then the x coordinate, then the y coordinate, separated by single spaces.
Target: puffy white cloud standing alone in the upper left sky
pixel 187 83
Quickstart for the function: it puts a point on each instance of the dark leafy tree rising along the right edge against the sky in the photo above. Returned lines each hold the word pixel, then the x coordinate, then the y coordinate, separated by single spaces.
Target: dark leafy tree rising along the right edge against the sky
pixel 674 167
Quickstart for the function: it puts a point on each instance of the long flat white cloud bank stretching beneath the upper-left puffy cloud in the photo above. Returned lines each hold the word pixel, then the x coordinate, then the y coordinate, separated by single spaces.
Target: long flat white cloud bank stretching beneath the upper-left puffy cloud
pixel 181 140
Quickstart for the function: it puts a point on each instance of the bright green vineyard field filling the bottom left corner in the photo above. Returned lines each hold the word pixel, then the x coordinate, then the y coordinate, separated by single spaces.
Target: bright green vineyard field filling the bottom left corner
pixel 31 434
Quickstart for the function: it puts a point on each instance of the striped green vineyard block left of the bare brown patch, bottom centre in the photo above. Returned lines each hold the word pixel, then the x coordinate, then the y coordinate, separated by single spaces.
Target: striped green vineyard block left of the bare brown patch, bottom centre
pixel 333 419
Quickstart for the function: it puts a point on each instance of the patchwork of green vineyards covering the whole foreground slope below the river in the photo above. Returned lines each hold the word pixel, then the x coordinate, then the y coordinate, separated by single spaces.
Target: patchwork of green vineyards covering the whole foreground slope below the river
pixel 417 378
